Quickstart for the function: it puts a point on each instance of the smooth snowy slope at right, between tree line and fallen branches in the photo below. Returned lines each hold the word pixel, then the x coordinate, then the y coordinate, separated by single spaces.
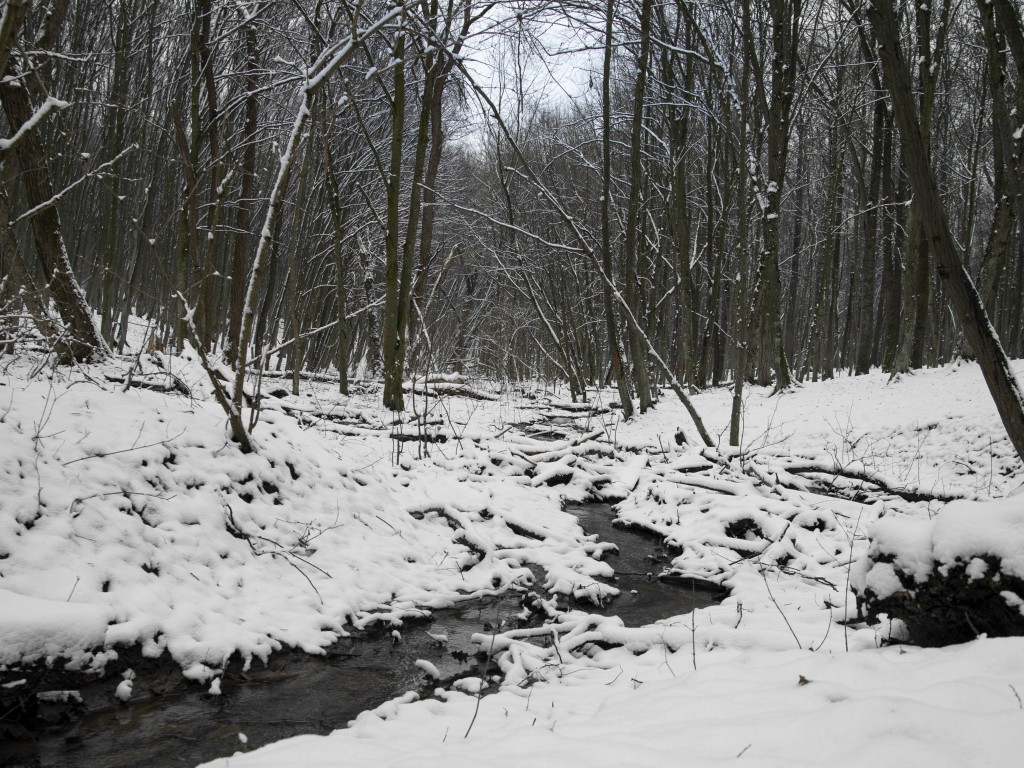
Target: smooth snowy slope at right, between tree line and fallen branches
pixel 936 430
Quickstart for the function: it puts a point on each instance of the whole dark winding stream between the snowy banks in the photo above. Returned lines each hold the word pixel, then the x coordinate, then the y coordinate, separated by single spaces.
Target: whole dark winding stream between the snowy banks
pixel 172 722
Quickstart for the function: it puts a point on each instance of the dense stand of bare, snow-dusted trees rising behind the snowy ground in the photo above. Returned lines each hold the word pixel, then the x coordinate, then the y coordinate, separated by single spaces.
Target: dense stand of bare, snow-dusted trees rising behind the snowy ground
pixel 378 189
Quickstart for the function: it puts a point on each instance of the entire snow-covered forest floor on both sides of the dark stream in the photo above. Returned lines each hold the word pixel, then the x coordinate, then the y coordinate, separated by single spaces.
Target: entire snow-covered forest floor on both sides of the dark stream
pixel 127 520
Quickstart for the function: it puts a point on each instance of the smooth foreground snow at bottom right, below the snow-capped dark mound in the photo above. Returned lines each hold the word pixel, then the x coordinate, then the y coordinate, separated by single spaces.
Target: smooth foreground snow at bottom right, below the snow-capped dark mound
pixel 944 708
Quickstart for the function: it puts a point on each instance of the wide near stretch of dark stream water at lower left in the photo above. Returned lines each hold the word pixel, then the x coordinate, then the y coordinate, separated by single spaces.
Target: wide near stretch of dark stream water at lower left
pixel 172 722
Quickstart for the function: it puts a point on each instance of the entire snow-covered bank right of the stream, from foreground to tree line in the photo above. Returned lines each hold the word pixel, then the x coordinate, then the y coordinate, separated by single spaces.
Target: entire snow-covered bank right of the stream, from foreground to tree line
pixel 772 675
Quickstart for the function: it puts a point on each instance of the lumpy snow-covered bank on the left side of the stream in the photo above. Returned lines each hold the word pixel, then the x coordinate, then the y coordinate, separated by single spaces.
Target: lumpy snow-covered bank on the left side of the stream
pixel 130 519
